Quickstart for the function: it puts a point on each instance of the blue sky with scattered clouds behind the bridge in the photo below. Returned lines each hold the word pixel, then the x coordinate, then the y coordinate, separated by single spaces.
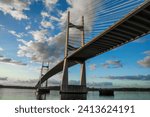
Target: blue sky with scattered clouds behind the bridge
pixel 34 30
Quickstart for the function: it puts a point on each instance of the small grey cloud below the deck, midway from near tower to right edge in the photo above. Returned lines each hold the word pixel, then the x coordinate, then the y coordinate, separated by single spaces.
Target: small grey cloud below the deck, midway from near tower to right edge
pixel 112 64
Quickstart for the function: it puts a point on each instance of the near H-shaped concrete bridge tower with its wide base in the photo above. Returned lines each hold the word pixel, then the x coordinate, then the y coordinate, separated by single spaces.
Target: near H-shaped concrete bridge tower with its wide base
pixel 65 88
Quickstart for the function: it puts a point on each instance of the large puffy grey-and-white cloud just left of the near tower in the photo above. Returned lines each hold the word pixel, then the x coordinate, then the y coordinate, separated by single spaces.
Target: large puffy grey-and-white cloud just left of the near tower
pixel 42 47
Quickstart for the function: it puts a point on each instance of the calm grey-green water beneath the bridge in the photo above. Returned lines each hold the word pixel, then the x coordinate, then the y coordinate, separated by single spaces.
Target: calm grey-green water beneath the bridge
pixel 29 94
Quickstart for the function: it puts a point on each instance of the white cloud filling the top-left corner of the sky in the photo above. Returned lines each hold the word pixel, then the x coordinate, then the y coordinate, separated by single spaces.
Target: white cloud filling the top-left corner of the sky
pixel 15 8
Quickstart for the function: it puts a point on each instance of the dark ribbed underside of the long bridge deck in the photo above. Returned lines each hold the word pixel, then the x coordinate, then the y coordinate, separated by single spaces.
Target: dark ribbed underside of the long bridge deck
pixel 134 25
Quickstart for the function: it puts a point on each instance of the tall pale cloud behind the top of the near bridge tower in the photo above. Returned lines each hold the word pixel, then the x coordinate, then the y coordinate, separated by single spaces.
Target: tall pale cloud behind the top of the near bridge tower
pixel 77 10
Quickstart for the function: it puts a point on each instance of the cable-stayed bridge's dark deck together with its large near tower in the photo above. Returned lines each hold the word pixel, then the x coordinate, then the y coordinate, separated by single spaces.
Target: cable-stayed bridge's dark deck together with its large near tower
pixel 131 27
